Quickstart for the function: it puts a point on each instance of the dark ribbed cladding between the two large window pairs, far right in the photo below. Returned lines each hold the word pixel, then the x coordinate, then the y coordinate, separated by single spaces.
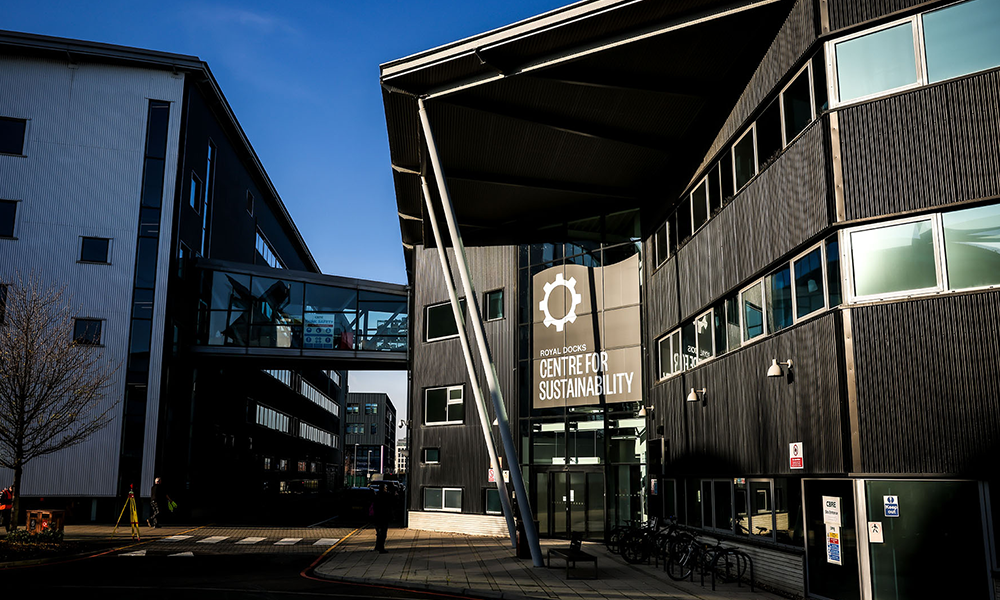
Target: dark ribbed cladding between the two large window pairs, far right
pixel 894 162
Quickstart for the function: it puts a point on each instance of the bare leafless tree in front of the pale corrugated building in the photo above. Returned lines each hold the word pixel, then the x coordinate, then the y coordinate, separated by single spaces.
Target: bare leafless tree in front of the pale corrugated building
pixel 52 387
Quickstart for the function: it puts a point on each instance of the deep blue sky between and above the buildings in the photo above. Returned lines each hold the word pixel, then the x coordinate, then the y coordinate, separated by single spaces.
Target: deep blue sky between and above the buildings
pixel 302 78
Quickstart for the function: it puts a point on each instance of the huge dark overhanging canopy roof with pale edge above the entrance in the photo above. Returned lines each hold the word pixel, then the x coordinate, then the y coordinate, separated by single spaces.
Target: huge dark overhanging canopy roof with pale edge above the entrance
pixel 603 103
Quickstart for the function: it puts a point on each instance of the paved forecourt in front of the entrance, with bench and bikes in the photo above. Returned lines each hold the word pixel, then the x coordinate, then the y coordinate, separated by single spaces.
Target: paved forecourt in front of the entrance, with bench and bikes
pixel 486 567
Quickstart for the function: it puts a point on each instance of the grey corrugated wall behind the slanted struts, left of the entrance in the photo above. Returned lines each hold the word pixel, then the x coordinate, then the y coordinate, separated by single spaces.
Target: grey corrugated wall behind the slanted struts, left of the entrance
pixel 463 453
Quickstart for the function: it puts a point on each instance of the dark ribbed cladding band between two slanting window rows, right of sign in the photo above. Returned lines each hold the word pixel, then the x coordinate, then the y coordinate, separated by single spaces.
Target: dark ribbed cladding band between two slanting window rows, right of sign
pixel 777 212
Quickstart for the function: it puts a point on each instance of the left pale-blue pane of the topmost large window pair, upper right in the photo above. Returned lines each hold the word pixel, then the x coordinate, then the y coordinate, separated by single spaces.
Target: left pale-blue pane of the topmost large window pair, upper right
pixel 873 63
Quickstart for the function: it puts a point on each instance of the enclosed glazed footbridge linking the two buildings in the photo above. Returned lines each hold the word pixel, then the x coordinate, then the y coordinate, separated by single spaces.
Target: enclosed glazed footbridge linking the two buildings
pixel 293 317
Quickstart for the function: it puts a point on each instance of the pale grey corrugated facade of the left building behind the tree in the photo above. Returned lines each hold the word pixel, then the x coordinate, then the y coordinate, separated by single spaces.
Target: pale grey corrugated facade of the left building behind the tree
pixel 82 176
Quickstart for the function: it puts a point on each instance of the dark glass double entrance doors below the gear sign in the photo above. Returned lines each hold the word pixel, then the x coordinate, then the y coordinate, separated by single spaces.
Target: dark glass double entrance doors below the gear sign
pixel 570 502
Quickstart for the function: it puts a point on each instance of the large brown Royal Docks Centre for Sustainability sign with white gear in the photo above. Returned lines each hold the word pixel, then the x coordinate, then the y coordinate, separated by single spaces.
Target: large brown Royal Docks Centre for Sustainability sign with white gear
pixel 586 335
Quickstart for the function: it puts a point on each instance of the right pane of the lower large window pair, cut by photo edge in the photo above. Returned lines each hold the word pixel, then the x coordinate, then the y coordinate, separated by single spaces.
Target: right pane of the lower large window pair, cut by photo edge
pixel 972 245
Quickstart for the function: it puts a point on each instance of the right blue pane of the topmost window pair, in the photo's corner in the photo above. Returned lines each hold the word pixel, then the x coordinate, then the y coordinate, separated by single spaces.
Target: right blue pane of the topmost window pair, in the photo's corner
pixel 961 39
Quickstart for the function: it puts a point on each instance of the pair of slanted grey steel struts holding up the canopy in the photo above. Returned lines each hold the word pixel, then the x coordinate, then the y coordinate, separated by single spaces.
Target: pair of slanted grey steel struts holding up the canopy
pixel 510 450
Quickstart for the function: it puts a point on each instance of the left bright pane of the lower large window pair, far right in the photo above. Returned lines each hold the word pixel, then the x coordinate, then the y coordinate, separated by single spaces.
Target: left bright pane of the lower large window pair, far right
pixel 893 258
